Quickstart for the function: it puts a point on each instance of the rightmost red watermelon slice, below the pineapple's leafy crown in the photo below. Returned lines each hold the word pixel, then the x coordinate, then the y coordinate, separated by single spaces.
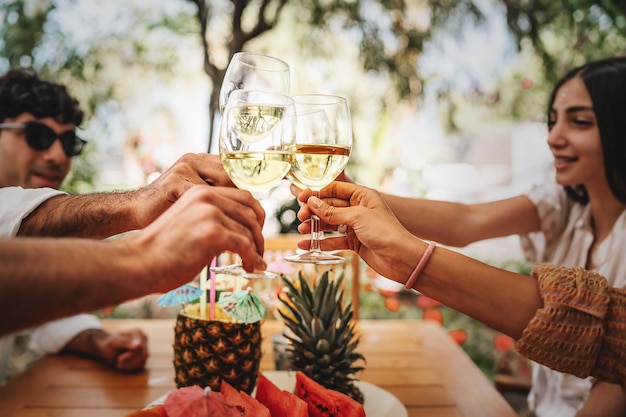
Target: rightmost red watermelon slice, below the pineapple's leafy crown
pixel 324 402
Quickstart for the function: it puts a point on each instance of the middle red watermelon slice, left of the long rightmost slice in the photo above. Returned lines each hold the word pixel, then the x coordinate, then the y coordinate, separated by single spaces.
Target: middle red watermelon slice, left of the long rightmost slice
pixel 281 403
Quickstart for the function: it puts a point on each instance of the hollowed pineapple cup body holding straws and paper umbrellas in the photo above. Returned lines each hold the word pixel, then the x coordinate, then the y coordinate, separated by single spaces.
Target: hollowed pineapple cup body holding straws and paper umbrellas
pixel 207 351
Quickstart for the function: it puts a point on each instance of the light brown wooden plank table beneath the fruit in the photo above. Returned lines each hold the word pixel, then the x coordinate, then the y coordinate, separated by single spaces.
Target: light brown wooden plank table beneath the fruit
pixel 414 360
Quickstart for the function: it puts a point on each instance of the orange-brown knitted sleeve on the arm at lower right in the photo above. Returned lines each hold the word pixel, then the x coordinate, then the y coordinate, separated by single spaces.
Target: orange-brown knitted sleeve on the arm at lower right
pixel 567 333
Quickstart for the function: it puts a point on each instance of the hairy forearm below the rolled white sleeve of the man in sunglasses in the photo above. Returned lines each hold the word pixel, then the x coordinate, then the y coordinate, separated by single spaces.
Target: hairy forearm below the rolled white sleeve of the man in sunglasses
pixel 97 215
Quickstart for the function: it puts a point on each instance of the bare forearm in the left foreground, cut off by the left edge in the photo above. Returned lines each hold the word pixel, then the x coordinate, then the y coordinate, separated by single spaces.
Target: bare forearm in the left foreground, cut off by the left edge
pixel 46 279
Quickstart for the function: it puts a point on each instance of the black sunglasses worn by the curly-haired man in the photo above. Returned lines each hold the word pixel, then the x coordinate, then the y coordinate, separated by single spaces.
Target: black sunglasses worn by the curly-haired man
pixel 40 137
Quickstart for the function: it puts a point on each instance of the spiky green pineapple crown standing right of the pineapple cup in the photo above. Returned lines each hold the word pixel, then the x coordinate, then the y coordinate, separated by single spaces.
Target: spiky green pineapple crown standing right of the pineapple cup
pixel 322 337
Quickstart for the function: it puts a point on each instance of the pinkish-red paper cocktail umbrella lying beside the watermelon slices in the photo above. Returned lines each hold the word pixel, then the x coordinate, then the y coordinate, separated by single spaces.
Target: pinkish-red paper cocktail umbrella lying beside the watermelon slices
pixel 194 401
